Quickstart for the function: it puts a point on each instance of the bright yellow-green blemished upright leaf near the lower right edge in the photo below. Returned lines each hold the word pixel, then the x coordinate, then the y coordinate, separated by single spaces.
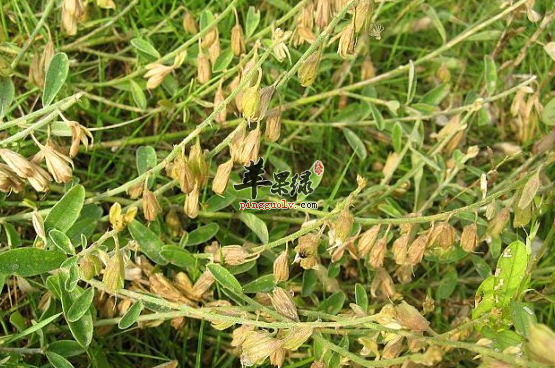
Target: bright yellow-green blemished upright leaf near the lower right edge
pixel 510 273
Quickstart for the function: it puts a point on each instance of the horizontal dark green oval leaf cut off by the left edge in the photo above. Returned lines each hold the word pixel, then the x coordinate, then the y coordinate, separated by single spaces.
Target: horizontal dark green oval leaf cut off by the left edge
pixel 27 262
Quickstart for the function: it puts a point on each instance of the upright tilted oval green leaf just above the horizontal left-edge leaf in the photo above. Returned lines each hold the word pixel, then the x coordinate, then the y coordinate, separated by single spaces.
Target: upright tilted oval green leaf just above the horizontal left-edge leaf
pixel 64 213
